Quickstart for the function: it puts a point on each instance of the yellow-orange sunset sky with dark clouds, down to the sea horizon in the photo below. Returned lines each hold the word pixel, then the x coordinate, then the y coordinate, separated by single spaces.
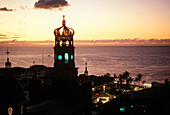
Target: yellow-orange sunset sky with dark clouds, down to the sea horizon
pixel 96 22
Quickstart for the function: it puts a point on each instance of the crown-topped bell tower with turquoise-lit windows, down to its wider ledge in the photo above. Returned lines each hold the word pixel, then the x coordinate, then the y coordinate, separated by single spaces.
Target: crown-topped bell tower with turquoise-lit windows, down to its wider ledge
pixel 64 48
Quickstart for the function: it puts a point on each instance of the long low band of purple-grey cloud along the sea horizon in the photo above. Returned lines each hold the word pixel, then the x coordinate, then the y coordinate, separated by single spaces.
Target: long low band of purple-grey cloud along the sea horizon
pixel 104 42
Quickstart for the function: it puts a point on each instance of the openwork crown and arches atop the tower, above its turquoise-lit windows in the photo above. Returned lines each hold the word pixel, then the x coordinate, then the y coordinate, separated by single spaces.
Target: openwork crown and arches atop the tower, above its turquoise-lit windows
pixel 63 35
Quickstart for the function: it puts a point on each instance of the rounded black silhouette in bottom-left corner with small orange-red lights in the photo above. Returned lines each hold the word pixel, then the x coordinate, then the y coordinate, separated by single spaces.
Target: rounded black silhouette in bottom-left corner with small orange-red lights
pixel 12 99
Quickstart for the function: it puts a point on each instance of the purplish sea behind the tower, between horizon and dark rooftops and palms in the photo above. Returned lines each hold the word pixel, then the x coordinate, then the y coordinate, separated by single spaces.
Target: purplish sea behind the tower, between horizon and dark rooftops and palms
pixel 152 62
